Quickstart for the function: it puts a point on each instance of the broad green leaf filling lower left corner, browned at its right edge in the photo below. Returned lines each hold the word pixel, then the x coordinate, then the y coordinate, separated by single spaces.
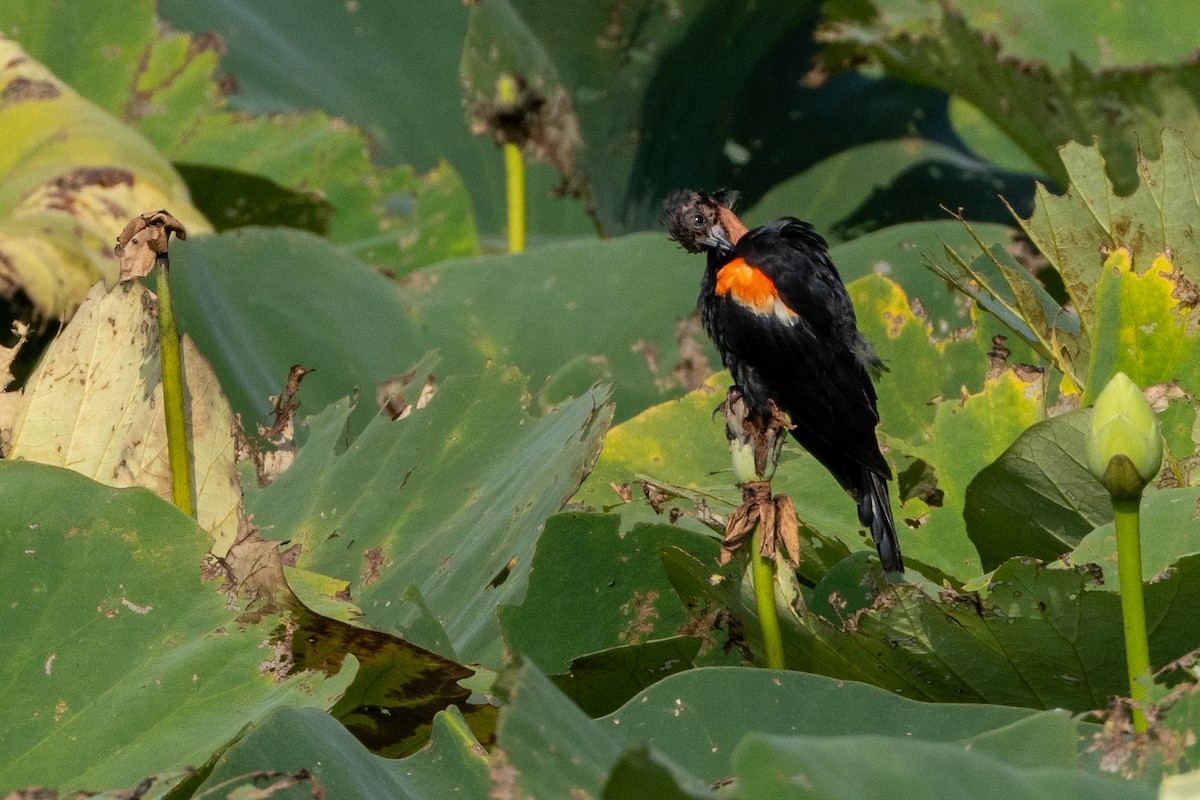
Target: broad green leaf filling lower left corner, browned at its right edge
pixel 119 660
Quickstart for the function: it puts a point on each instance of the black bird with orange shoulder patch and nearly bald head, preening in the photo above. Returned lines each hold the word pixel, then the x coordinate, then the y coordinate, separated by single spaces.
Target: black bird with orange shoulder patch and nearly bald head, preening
pixel 777 310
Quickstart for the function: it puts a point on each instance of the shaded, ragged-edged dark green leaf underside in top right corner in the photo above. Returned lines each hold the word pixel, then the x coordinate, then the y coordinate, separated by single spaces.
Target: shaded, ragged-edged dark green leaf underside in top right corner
pixel 1037 106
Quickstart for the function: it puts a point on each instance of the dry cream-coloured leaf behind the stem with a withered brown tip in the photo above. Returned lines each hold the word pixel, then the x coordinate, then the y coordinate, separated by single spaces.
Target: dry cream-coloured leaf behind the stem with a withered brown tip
pixel 94 405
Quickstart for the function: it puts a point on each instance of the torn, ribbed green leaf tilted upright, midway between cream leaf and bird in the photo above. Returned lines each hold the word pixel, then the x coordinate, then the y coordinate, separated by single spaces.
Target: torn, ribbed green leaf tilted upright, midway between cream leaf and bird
pixel 448 501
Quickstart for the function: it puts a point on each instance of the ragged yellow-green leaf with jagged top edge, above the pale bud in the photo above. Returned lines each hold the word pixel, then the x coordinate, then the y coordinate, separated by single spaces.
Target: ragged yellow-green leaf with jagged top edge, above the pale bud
pixel 1129 264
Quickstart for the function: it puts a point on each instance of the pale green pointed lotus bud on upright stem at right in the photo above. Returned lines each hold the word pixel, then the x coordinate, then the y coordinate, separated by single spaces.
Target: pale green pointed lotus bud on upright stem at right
pixel 1125 449
